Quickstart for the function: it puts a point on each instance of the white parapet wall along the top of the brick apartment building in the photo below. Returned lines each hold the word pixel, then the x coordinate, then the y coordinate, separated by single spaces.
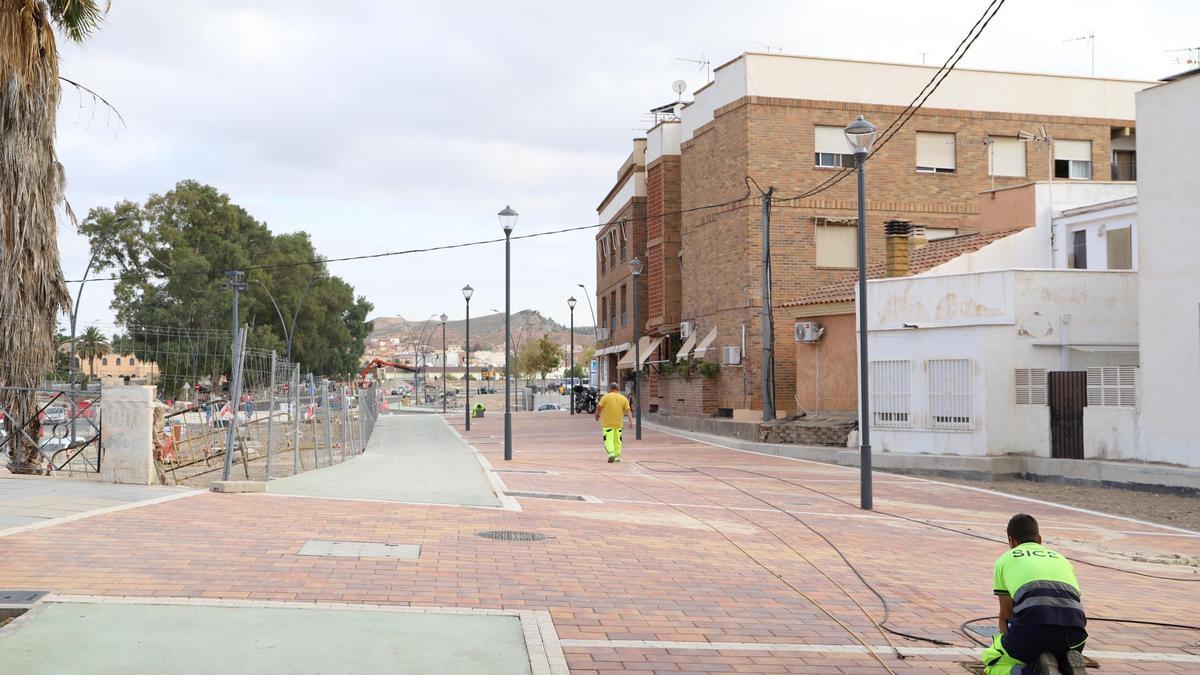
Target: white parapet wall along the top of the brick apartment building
pixel 892 85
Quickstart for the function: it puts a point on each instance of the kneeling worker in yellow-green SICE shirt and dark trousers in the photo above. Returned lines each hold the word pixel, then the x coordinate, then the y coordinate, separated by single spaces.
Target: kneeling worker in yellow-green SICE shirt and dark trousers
pixel 1041 614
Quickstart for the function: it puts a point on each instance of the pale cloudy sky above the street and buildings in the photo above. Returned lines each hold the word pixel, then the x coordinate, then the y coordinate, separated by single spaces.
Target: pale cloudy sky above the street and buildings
pixel 403 126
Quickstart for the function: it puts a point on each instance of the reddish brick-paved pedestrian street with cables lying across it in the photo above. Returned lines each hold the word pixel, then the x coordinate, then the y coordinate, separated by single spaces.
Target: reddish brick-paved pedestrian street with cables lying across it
pixel 669 570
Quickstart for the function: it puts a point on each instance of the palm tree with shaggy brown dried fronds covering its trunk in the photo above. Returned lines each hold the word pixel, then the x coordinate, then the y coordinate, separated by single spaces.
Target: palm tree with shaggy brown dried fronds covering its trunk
pixel 32 286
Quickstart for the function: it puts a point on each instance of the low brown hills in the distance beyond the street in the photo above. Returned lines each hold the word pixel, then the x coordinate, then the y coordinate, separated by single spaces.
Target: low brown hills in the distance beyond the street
pixel 487 331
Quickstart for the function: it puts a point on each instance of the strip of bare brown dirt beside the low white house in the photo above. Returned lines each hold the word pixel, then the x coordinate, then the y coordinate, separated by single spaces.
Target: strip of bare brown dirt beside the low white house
pixel 1167 510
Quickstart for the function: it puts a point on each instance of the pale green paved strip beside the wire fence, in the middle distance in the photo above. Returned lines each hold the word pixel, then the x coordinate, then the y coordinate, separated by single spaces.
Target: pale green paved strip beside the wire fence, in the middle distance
pixel 411 458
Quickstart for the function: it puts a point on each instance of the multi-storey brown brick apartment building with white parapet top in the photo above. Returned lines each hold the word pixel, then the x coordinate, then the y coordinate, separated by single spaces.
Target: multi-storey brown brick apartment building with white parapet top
pixel 778 120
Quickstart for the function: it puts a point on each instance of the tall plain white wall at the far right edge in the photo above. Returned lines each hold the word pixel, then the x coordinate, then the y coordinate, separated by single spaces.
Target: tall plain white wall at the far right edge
pixel 1168 242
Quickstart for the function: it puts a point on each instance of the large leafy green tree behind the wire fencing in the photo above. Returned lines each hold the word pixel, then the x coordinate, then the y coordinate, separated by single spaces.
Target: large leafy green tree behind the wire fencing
pixel 172 254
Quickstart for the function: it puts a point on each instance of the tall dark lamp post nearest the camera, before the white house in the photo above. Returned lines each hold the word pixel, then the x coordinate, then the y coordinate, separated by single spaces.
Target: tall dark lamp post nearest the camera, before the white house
pixel 861 135
